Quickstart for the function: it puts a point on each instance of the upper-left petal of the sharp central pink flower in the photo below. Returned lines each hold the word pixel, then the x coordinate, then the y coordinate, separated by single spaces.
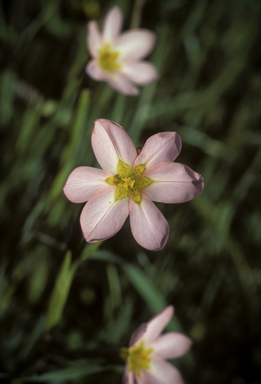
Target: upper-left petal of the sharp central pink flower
pixel 110 142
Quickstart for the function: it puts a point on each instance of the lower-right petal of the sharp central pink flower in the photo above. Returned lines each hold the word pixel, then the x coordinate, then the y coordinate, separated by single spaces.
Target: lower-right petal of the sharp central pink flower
pixel 149 227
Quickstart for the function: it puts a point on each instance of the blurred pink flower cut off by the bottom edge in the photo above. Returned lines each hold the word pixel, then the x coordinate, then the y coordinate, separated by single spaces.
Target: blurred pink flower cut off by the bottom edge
pixel 148 350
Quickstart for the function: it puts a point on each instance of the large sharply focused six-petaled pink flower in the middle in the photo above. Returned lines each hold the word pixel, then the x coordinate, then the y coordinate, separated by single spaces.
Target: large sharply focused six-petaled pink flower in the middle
pixel 127 184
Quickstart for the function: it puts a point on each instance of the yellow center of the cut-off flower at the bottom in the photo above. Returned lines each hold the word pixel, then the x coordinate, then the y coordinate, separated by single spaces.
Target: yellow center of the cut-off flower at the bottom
pixel 139 357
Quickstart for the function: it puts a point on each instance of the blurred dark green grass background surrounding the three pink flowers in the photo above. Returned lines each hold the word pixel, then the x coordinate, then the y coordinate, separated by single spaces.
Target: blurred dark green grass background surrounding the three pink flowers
pixel 59 326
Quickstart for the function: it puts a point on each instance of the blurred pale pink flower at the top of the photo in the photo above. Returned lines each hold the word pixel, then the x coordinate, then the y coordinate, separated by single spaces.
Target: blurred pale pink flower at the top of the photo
pixel 116 58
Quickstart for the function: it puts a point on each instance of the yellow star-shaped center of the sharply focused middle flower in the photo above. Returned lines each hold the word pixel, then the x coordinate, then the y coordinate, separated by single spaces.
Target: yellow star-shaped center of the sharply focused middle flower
pixel 129 182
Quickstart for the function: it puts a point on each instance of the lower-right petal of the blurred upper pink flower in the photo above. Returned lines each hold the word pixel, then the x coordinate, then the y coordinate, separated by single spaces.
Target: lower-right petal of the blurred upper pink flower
pixel 140 72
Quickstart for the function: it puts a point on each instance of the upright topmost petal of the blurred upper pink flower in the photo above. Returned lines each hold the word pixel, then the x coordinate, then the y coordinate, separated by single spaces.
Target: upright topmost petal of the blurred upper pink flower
pixel 112 24
